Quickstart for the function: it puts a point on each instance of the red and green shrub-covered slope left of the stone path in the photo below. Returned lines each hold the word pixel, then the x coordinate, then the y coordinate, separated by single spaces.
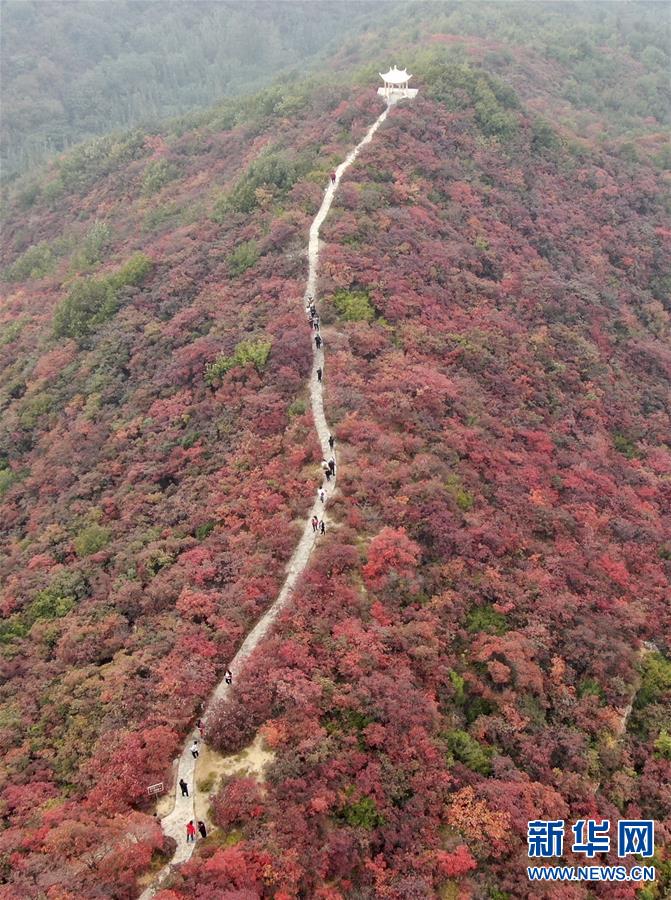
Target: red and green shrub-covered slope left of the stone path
pixel 156 453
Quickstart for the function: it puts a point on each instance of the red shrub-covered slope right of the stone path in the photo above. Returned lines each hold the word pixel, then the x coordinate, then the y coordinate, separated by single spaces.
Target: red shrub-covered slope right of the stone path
pixel 460 656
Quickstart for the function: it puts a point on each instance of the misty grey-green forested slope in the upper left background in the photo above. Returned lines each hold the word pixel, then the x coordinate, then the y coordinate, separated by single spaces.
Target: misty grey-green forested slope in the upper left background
pixel 74 70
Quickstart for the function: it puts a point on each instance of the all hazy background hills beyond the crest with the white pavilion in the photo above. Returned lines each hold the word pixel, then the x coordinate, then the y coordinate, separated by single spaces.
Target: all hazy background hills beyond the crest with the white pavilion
pixel 74 70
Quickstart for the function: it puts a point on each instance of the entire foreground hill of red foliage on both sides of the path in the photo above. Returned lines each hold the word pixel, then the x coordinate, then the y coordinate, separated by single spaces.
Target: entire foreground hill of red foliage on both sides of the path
pixel 460 653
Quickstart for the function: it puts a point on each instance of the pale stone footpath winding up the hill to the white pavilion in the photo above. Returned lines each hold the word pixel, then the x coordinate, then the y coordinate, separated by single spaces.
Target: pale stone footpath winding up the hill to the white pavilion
pixel 174 824
